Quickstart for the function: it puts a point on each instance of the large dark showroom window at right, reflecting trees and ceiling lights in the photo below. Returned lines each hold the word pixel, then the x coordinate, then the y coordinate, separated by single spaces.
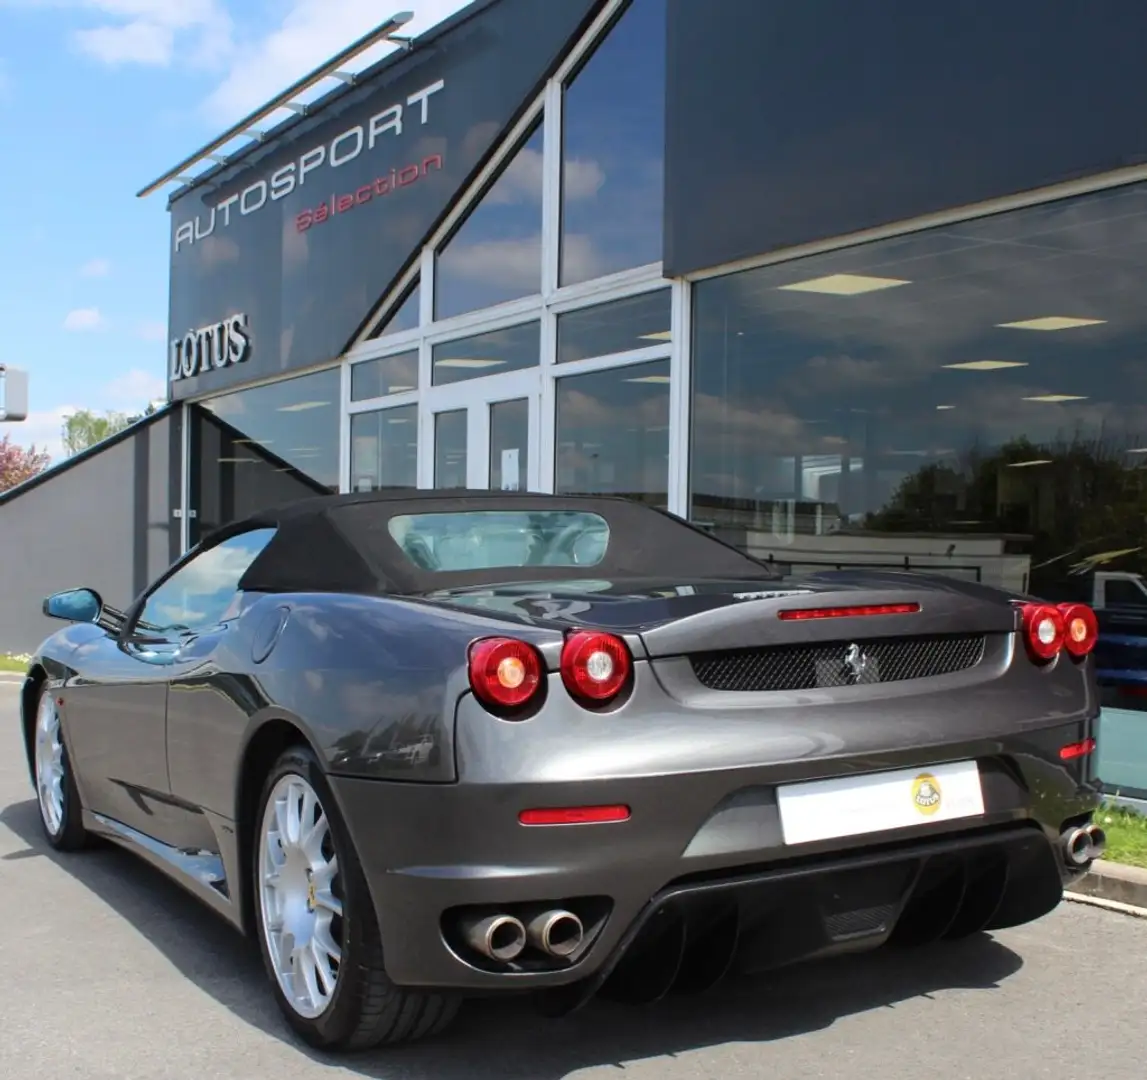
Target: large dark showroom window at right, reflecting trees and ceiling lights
pixel 967 400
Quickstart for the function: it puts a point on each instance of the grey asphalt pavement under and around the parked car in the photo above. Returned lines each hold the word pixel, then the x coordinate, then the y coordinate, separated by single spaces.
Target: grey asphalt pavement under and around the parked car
pixel 113 973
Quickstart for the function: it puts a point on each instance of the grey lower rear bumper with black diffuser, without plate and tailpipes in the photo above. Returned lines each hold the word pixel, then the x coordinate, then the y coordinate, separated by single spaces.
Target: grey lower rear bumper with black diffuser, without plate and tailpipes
pixel 703 855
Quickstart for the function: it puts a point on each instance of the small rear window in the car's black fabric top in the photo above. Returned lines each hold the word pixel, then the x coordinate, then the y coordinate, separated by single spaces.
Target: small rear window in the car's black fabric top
pixel 495 539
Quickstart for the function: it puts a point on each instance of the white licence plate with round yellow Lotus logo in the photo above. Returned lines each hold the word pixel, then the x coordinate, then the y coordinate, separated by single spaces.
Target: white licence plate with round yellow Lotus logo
pixel 825 810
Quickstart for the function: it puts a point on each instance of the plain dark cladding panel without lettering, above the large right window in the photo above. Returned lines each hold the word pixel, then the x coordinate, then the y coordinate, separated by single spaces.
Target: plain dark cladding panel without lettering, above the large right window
pixel 791 123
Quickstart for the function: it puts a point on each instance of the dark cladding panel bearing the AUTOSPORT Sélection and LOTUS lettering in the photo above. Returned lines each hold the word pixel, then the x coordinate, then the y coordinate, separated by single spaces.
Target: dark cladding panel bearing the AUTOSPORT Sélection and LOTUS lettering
pixel 339 206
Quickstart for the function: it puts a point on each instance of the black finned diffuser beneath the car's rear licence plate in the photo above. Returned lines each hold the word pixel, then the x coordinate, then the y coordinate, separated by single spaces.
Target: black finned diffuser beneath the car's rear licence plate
pixel 695 932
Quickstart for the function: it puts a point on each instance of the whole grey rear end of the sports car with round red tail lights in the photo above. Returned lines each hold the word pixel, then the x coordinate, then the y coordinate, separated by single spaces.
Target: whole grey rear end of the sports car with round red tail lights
pixel 745 781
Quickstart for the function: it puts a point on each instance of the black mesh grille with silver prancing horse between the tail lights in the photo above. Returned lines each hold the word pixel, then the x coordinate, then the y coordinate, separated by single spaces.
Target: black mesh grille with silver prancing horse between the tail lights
pixel 838 664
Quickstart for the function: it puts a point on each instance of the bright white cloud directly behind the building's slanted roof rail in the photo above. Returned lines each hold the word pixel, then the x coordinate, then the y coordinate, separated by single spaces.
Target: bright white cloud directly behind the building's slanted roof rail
pixel 310 33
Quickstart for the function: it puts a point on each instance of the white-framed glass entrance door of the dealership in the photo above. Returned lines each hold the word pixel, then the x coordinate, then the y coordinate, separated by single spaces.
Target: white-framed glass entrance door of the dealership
pixel 485 435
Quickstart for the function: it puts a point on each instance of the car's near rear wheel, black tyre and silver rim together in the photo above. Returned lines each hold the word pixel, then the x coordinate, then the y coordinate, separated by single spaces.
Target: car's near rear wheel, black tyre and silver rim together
pixel 318 930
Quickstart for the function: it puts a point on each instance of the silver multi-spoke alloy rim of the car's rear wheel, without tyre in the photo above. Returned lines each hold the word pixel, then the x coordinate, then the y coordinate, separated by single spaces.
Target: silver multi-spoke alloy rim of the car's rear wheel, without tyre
pixel 302 914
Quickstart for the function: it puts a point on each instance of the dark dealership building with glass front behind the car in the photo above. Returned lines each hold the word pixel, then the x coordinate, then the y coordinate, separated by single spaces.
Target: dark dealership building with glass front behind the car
pixel 849 284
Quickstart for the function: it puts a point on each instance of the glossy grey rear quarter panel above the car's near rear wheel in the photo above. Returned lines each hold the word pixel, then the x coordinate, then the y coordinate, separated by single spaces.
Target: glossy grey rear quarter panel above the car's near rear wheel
pixel 372 683
